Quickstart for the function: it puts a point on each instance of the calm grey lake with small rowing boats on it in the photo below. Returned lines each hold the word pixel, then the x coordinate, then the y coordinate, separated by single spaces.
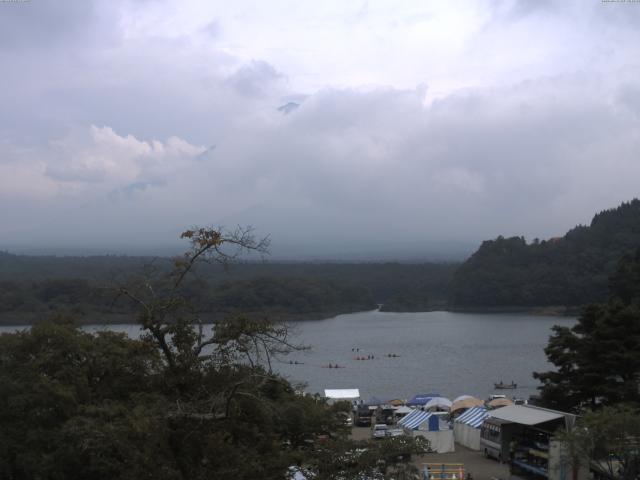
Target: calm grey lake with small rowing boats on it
pixel 447 353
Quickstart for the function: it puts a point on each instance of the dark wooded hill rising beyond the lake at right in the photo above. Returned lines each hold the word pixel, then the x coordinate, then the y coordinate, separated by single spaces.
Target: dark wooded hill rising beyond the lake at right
pixel 572 270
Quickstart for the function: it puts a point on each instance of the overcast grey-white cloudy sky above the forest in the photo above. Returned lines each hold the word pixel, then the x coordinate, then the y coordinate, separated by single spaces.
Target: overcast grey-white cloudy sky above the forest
pixel 419 124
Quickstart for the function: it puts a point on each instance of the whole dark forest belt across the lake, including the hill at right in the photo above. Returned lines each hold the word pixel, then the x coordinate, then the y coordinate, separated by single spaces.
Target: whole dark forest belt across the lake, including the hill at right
pixel 561 274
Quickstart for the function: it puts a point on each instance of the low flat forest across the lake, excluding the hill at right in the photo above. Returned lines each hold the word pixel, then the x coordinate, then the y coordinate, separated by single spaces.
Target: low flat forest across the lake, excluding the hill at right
pixel 33 287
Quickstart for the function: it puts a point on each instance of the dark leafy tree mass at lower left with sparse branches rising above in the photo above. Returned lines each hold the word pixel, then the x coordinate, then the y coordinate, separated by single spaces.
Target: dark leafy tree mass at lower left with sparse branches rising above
pixel 183 402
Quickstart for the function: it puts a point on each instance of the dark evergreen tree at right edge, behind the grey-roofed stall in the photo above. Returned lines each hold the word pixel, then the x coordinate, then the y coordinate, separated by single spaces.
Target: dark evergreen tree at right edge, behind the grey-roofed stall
pixel 598 360
